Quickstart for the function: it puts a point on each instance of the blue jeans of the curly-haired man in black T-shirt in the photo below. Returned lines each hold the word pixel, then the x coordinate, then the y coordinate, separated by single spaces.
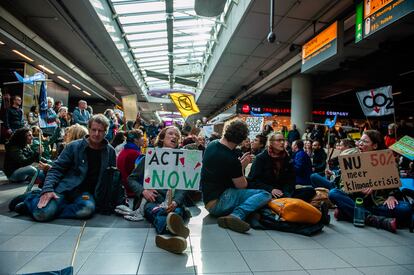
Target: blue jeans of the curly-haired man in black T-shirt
pixel 240 202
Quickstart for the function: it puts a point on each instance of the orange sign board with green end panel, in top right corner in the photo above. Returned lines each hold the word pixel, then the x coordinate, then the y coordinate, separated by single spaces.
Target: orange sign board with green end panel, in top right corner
pixel 377 14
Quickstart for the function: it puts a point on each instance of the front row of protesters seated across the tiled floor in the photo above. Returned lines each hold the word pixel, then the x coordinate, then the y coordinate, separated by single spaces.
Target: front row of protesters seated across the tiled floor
pixel 75 184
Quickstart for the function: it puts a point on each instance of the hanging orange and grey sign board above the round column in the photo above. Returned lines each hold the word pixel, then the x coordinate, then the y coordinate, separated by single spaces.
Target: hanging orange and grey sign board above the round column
pixel 321 47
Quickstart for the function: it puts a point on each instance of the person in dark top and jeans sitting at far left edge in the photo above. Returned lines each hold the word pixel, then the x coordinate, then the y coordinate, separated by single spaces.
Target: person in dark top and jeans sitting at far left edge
pixel 20 157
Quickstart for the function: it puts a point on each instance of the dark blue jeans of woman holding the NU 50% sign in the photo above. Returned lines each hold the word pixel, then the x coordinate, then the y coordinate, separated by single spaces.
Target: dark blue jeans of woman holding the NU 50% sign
pixel 402 212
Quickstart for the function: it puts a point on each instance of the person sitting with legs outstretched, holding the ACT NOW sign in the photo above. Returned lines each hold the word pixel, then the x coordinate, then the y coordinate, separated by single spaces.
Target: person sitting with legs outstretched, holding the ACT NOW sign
pixel 165 218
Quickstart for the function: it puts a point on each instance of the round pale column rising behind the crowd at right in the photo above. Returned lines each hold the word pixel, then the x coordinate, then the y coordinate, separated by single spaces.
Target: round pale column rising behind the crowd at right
pixel 301 108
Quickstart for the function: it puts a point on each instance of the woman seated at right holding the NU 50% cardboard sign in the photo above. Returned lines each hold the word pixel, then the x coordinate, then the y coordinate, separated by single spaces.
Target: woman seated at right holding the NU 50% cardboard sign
pixel 384 208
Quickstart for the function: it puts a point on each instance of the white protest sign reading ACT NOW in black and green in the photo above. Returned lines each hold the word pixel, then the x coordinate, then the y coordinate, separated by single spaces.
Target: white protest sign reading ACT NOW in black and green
pixel 172 169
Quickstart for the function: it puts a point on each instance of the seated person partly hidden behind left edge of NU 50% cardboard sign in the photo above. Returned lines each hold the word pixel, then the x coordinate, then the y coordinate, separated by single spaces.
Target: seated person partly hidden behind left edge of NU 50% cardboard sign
pixel 333 173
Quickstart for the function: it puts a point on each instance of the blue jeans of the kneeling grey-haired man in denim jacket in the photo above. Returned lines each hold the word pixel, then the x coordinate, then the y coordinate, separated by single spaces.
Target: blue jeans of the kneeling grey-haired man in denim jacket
pixel 79 208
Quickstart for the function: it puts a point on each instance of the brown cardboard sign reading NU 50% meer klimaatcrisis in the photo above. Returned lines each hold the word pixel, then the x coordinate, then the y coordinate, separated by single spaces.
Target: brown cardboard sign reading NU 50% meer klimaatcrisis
pixel 375 169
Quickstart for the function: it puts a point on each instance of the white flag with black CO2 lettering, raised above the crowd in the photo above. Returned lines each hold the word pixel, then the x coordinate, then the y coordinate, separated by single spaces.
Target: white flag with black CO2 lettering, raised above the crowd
pixel 377 102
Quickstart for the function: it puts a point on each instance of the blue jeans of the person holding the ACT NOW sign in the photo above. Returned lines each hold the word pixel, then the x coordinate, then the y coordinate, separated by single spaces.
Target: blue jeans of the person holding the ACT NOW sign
pixel 158 216
